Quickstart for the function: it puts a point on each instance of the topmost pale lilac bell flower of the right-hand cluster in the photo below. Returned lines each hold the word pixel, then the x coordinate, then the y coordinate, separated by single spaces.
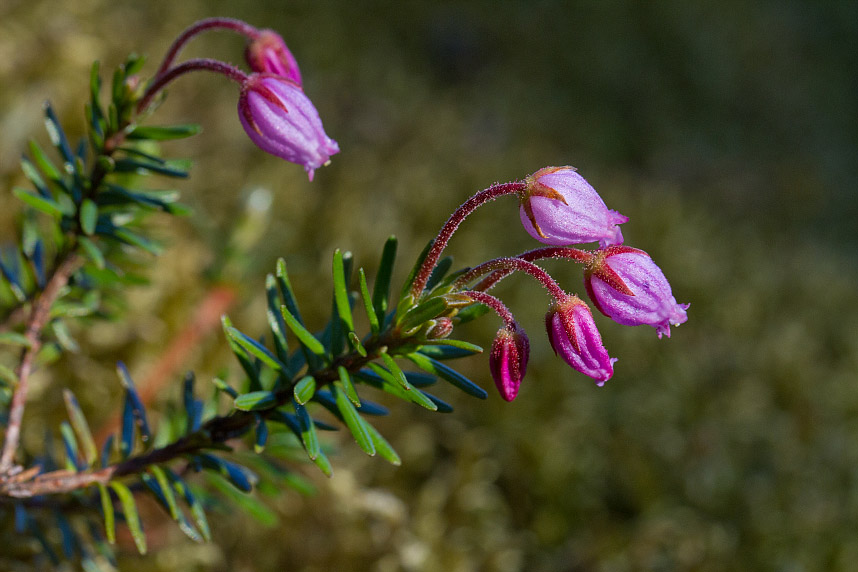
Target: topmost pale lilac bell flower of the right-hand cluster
pixel 559 207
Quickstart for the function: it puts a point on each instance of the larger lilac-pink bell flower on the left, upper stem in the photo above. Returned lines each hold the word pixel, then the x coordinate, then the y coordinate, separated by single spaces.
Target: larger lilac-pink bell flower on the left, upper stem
pixel 281 120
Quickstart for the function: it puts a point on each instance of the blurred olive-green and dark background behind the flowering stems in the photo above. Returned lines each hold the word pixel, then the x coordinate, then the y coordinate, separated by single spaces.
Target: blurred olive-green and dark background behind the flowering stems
pixel 727 132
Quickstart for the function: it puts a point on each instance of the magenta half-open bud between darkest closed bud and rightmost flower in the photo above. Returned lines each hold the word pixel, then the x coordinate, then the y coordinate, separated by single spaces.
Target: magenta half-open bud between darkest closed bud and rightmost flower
pixel 574 337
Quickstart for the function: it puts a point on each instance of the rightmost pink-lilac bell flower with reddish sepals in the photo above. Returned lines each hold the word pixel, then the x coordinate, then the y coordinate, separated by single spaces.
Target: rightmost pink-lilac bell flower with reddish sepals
pixel 626 285
